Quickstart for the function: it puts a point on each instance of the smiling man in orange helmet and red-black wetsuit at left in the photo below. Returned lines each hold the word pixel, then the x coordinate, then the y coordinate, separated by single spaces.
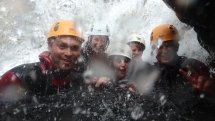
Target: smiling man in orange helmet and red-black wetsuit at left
pixel 57 68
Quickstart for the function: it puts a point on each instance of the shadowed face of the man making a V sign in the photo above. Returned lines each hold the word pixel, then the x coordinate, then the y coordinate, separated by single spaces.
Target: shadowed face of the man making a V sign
pixel 167 52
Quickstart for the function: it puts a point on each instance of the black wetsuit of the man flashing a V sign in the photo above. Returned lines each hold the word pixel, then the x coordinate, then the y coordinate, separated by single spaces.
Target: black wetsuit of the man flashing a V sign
pixel 175 92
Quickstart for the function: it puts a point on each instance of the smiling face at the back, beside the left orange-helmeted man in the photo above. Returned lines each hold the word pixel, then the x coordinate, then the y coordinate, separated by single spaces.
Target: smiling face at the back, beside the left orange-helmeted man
pixel 99 43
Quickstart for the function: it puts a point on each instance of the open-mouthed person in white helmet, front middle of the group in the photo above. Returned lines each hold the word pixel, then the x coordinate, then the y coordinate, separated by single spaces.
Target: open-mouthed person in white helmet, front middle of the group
pixel 119 58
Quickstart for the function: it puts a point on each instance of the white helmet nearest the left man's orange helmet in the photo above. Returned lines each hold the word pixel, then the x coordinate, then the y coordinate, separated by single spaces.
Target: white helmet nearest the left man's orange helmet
pixel 99 28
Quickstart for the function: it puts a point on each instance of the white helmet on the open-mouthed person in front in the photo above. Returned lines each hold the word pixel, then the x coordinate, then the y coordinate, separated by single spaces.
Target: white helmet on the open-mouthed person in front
pixel 120 49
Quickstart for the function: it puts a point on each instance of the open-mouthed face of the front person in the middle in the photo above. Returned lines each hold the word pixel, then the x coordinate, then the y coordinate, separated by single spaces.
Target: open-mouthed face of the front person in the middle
pixel 120 64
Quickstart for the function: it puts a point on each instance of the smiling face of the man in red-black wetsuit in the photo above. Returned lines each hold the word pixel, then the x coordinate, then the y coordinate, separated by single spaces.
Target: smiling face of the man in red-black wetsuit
pixel 64 52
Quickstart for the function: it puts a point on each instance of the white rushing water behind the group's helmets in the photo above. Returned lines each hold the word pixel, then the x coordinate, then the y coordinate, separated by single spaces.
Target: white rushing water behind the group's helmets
pixel 27 19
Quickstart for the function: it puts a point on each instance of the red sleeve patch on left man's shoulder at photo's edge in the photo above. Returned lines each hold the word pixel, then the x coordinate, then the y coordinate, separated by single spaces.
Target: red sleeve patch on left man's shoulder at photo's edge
pixel 9 78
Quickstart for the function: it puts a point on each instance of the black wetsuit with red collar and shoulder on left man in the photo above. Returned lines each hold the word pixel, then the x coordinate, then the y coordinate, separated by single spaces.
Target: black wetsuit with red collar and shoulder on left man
pixel 41 78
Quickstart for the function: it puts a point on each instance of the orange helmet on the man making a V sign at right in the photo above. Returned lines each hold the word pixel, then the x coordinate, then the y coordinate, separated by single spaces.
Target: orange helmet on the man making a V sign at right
pixel 165 32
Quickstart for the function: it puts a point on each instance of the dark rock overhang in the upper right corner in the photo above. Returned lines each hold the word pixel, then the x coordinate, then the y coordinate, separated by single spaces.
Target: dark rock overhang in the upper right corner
pixel 200 15
